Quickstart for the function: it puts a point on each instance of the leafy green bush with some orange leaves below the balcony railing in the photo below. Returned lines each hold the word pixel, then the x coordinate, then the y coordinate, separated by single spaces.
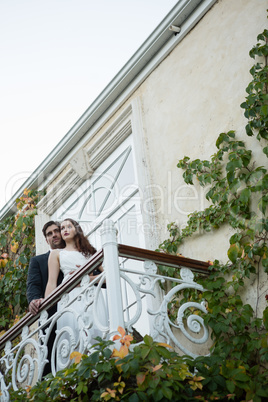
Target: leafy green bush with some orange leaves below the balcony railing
pixel 149 371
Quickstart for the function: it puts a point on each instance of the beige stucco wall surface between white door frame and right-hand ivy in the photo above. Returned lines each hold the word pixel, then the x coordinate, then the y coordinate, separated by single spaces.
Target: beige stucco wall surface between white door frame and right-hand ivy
pixel 193 96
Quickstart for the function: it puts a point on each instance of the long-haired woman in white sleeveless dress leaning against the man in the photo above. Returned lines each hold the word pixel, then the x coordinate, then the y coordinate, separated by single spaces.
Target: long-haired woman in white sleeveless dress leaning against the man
pixel 76 253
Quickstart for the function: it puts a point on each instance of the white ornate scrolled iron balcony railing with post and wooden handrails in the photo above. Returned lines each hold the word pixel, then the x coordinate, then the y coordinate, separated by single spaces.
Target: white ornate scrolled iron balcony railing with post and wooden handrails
pixel 133 297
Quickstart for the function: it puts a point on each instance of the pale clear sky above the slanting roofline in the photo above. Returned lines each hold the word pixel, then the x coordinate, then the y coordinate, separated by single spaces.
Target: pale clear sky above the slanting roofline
pixel 56 58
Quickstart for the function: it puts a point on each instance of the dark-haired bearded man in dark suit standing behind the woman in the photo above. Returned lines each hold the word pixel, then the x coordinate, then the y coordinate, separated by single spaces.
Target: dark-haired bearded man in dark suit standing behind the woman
pixel 38 277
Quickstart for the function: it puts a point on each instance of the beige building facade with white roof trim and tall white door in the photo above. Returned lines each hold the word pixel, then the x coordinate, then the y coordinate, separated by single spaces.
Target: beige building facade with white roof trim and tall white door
pixel 173 98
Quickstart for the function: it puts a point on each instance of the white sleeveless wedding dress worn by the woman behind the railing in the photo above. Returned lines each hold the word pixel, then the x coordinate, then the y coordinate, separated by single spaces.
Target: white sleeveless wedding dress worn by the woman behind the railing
pixel 79 313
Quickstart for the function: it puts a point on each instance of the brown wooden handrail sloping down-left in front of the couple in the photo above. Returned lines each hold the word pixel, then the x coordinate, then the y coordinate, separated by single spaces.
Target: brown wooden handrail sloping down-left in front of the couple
pixel 53 298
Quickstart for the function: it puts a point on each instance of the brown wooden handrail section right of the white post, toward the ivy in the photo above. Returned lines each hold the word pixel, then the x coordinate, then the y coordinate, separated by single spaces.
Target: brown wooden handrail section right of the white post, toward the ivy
pixel 162 258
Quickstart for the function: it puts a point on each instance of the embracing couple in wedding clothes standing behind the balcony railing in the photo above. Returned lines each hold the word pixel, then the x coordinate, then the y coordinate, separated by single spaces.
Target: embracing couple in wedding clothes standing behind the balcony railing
pixel 70 250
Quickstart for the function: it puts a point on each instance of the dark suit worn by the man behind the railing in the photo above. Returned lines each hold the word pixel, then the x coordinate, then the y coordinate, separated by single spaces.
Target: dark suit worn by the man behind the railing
pixel 36 286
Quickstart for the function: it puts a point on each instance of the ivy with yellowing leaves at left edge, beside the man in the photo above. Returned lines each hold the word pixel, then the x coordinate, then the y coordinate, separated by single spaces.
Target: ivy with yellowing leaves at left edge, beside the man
pixel 17 246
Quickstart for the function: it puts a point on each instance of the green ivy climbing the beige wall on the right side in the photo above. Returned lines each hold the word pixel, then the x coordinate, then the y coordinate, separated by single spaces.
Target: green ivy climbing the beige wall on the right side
pixel 238 195
